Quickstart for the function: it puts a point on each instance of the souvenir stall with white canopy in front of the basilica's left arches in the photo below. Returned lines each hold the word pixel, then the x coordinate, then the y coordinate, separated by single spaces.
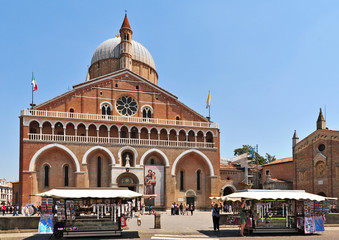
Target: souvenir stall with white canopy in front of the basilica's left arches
pixel 91 211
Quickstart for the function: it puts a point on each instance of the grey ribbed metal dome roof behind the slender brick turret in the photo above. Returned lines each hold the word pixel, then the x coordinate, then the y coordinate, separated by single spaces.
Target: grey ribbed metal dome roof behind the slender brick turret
pixel 111 49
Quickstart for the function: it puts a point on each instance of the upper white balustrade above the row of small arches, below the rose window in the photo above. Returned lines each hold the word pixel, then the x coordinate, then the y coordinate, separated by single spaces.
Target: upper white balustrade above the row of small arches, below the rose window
pixel 116 118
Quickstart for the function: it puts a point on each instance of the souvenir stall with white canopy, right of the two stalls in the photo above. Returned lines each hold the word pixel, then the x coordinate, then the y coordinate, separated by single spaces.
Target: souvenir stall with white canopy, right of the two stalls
pixel 279 210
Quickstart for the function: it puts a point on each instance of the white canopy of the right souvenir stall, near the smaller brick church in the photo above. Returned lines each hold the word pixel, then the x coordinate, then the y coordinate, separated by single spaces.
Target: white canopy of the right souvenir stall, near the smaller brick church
pixel 262 194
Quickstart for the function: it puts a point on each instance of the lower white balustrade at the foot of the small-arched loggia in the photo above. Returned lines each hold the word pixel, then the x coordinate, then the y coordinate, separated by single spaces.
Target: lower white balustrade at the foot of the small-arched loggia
pixel 118 141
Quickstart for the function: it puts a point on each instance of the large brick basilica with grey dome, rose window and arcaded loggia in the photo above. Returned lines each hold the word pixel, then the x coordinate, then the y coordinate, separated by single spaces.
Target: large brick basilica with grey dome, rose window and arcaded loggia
pixel 120 129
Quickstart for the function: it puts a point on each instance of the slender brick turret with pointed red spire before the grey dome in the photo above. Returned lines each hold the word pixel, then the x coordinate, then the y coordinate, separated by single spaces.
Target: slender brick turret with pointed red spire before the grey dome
pixel 126 45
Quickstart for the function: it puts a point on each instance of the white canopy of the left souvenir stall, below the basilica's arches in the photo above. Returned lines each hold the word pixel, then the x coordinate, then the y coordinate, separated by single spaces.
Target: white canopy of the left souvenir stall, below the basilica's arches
pixel 90 193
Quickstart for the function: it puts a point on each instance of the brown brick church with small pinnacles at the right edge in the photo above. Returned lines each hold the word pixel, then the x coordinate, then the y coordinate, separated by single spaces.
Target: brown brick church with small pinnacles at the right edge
pixel 316 161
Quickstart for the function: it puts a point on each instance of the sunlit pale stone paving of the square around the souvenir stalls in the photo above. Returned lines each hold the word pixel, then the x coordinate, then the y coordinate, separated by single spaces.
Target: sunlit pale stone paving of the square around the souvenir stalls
pixel 198 227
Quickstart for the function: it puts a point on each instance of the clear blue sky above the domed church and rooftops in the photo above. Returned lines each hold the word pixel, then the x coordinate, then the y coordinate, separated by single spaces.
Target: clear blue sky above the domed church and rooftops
pixel 269 65
